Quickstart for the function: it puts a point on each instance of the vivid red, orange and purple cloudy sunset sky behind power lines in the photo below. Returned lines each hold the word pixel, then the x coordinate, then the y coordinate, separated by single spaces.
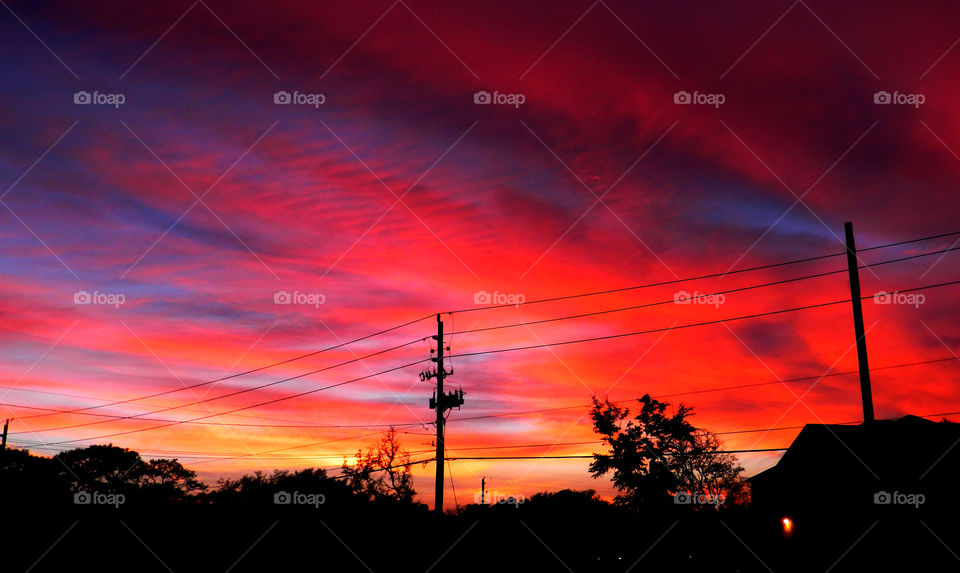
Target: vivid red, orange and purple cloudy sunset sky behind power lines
pixel 186 199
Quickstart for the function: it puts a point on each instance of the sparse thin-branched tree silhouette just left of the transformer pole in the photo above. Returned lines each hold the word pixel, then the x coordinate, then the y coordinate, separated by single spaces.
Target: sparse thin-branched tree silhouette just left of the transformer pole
pixel 382 473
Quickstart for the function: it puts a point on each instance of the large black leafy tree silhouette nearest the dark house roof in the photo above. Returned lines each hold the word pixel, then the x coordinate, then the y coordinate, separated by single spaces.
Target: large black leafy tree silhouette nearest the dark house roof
pixel 655 456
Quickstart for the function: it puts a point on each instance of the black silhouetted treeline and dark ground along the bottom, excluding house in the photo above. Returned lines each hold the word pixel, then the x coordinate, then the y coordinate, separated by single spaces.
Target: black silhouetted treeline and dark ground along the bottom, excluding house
pixel 681 505
